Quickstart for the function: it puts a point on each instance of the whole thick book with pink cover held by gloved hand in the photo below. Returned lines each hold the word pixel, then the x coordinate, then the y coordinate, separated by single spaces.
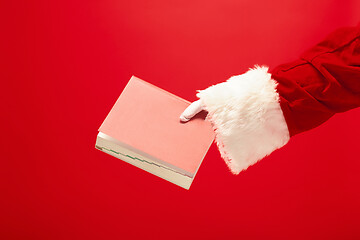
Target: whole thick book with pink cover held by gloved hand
pixel 143 128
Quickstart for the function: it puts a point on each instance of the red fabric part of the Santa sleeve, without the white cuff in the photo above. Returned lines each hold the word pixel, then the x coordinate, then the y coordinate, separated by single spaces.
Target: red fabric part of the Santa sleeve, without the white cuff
pixel 324 81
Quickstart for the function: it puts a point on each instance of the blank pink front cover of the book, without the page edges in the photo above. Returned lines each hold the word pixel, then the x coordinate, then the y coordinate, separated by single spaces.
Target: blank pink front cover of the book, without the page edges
pixel 147 118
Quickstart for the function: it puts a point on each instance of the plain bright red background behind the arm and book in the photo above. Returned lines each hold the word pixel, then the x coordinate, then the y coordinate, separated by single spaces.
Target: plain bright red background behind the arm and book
pixel 63 65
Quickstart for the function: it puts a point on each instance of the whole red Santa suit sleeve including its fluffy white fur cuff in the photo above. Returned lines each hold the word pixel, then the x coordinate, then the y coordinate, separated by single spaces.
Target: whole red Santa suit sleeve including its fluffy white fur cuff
pixel 257 112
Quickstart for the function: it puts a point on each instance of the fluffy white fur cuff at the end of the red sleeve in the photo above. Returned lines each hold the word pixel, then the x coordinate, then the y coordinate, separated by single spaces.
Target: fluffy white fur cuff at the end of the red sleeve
pixel 246 116
